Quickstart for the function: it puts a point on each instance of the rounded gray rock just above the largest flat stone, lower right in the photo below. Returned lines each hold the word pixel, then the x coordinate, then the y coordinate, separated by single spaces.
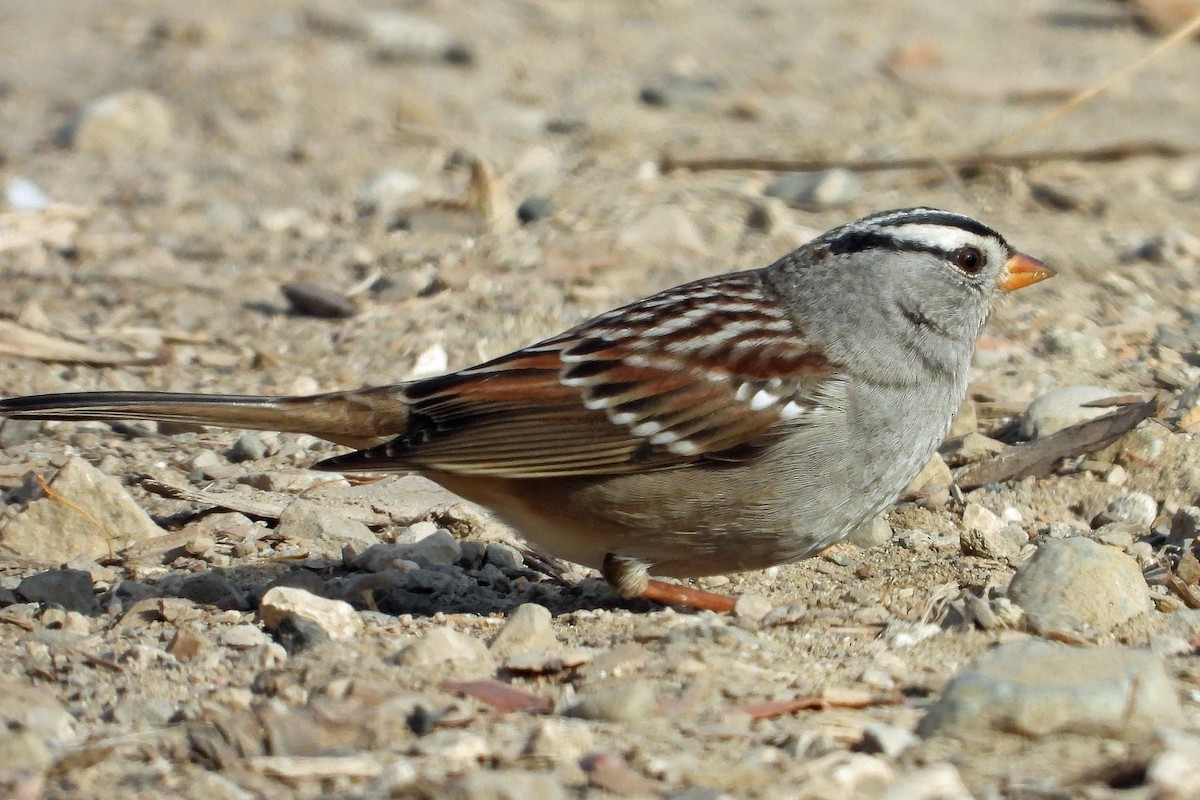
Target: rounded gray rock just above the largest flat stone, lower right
pixel 1078 586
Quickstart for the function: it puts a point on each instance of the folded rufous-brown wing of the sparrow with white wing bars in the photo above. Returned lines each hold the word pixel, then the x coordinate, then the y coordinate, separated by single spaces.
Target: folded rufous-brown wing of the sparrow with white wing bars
pixel 697 372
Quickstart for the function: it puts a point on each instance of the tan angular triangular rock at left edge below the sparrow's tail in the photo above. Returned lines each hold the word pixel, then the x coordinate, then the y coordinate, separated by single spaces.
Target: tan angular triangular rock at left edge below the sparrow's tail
pixel 101 519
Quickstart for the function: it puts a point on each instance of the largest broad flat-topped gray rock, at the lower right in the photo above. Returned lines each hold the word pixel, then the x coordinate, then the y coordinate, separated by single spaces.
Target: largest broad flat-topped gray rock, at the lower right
pixel 1036 688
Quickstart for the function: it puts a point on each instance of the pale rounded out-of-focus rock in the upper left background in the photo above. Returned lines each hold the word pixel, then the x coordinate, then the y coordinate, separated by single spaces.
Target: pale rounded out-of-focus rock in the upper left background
pixel 127 123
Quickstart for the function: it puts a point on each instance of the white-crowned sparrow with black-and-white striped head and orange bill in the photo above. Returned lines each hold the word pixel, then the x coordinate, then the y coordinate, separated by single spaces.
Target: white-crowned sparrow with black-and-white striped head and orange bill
pixel 731 424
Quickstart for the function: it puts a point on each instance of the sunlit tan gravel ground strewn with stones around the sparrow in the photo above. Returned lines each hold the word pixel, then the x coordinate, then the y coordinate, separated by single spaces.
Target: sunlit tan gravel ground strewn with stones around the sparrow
pixel 193 613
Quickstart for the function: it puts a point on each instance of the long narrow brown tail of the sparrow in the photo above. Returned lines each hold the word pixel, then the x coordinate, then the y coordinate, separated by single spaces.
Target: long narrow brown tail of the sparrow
pixel 358 419
